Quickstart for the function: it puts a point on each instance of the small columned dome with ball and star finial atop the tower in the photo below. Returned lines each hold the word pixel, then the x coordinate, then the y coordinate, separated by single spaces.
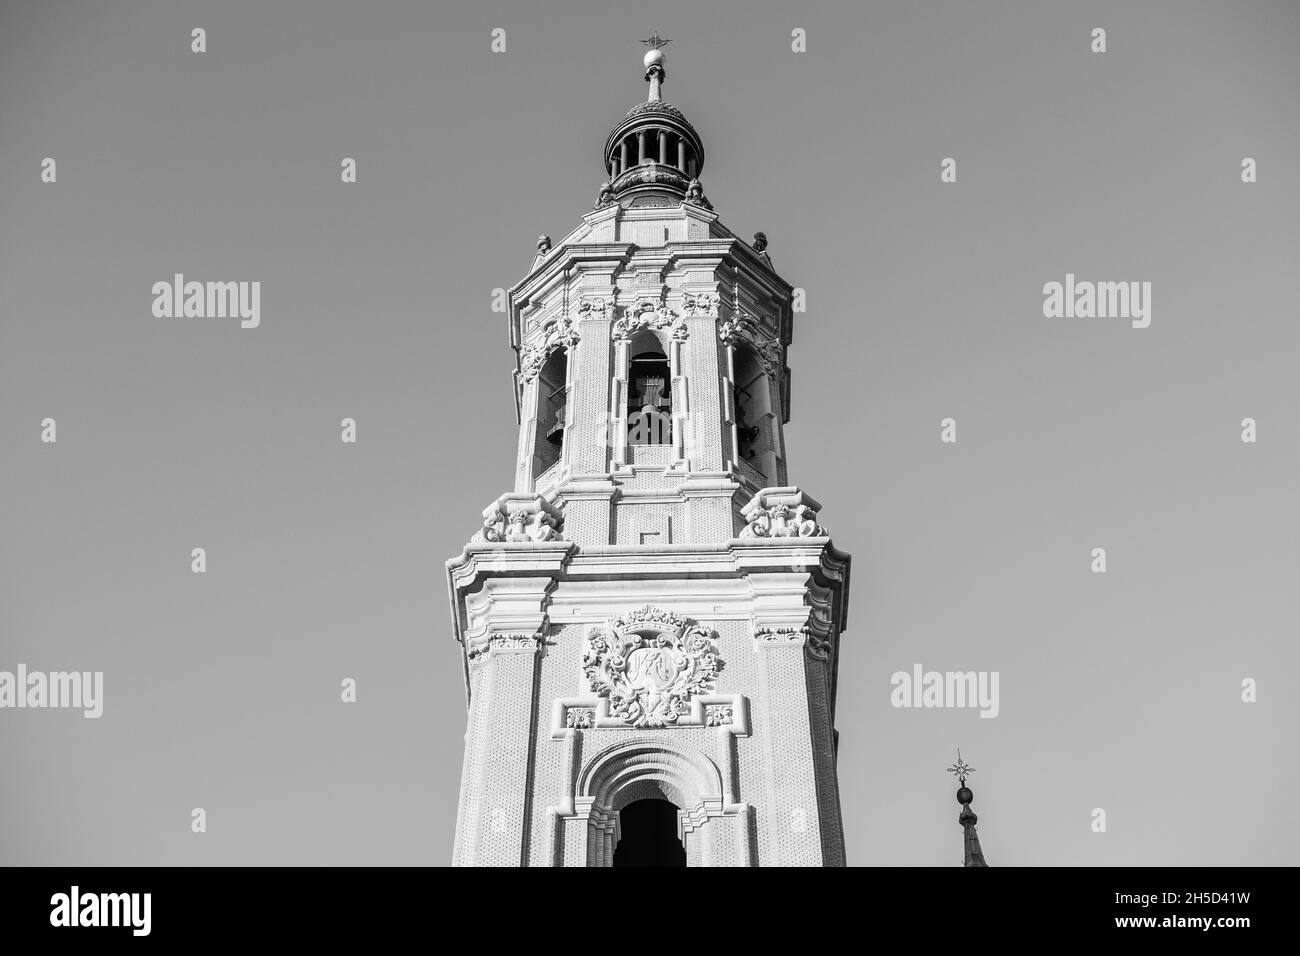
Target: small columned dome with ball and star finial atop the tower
pixel 655 153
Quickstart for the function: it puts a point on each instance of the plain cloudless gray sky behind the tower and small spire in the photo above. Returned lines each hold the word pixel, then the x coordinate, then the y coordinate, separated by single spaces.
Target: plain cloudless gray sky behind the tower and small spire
pixel 1120 691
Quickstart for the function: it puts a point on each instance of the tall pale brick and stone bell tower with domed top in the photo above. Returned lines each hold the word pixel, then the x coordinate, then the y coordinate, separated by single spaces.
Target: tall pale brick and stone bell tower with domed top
pixel 651 621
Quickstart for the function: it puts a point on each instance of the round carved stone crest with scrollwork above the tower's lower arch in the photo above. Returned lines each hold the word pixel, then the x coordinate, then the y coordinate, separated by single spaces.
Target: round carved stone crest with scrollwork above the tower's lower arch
pixel 649 664
